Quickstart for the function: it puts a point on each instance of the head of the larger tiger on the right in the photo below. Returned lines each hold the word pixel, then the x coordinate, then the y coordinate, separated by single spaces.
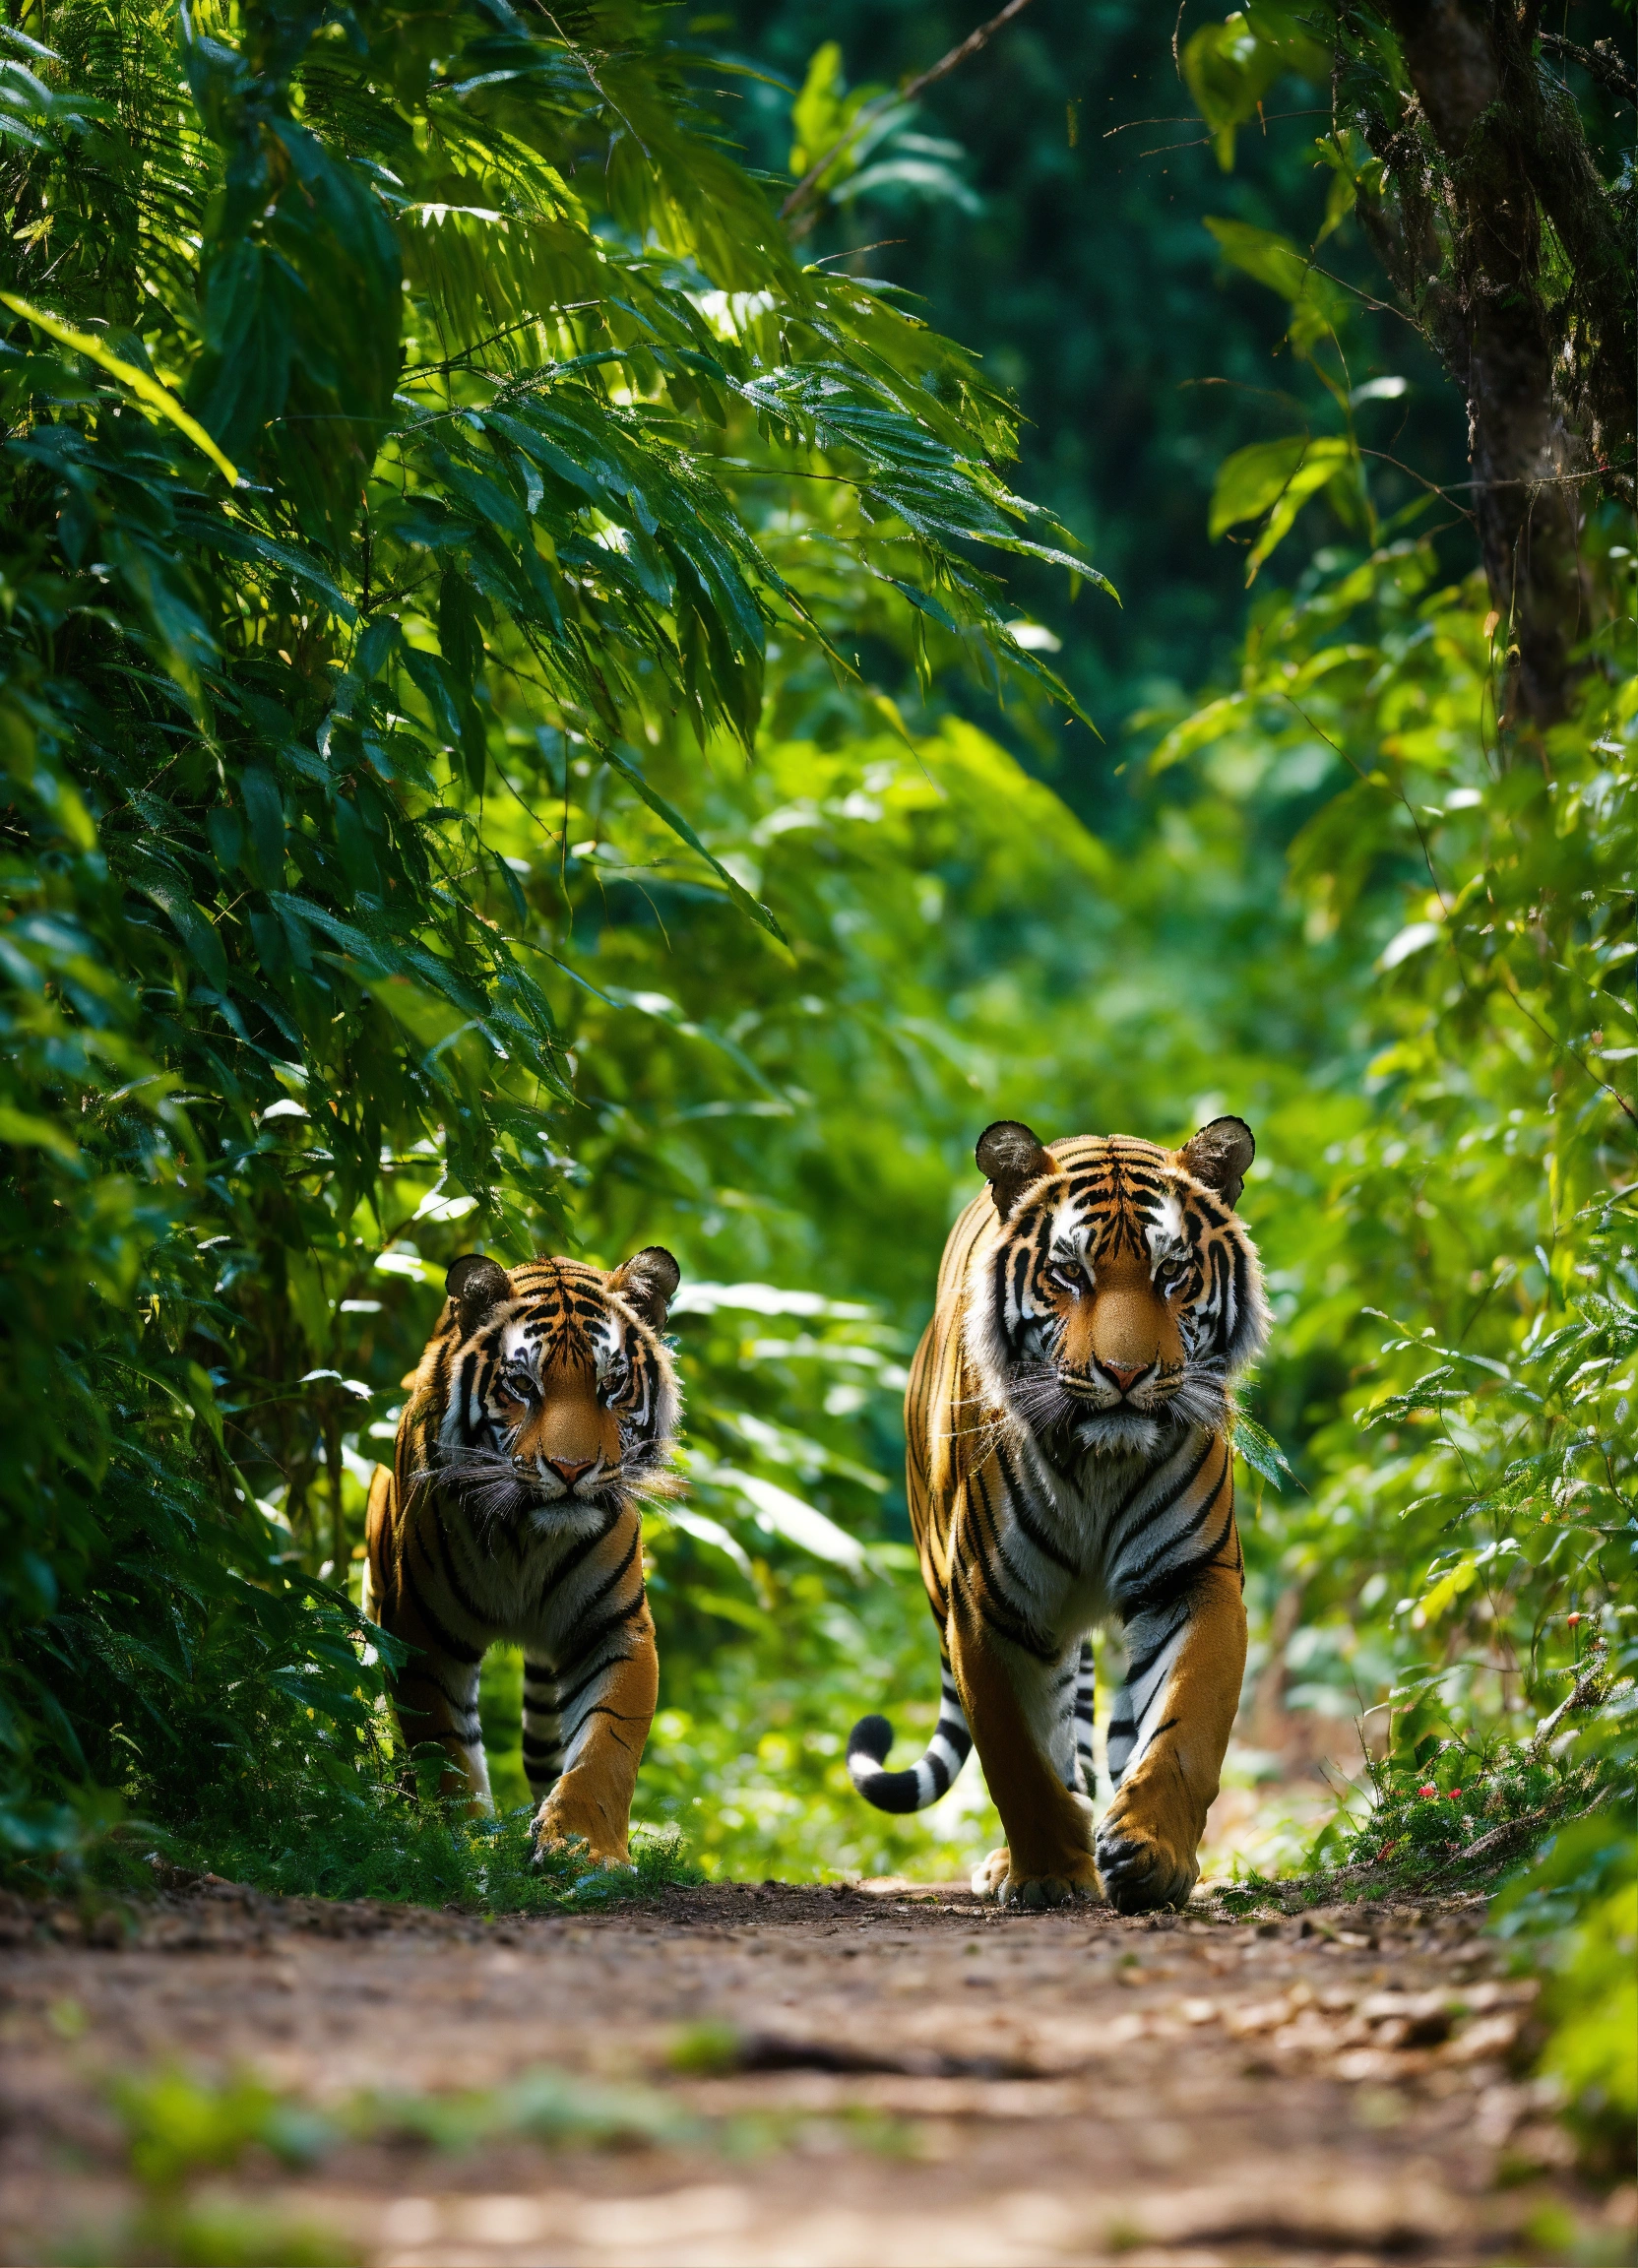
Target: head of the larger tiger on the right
pixel 1122 1294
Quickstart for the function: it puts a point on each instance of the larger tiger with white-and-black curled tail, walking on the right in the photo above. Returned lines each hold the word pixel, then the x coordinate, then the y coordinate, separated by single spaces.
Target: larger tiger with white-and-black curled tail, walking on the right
pixel 1070 1462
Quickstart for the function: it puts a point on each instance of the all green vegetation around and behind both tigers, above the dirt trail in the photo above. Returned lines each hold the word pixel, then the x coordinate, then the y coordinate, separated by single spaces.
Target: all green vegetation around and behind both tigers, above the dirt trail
pixel 555 763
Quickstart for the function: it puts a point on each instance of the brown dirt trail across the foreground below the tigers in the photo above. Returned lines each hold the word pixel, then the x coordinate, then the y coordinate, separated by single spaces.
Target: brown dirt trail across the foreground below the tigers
pixel 820 2076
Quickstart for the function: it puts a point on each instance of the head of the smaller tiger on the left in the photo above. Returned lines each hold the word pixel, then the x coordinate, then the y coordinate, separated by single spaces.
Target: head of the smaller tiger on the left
pixel 552 1387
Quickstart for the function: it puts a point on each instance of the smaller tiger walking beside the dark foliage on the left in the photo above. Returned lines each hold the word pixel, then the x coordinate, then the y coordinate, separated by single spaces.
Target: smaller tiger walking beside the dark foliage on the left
pixel 541 1416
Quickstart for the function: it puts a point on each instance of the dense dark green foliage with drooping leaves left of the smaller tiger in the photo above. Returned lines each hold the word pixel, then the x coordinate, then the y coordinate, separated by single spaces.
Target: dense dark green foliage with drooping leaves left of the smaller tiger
pixel 271 985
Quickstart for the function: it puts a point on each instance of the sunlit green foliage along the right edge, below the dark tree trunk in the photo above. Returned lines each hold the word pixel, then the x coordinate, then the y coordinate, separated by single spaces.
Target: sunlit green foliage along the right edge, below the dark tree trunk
pixel 1492 1194
